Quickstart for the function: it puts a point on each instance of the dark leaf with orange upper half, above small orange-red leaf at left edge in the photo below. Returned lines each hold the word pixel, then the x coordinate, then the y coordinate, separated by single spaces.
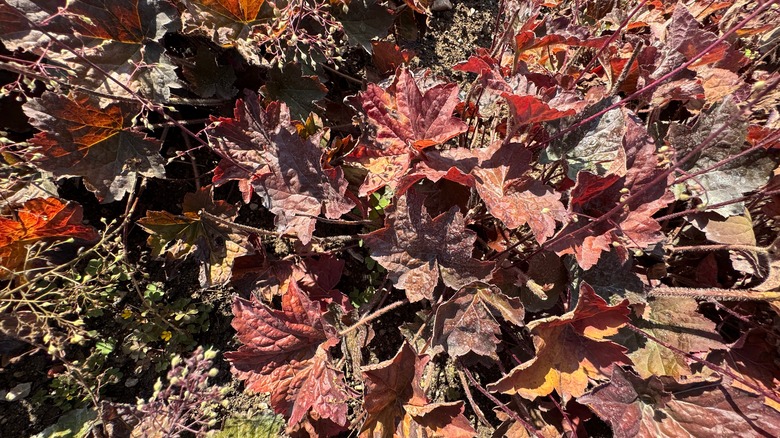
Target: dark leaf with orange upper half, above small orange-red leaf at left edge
pixel 96 142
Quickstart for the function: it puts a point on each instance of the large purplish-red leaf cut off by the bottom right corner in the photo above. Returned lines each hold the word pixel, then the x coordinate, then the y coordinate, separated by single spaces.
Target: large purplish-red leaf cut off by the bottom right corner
pixel 648 408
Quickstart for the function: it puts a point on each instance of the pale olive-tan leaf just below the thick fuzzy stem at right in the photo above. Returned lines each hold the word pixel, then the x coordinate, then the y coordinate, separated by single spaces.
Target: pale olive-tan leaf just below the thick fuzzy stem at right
pixel 675 322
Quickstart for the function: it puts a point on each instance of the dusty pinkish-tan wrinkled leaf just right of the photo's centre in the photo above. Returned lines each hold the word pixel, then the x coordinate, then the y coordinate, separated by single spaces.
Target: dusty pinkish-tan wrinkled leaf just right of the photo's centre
pixel 514 197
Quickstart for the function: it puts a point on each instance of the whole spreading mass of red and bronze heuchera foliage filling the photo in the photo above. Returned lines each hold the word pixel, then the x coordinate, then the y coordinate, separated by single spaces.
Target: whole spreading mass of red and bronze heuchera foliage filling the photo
pixel 580 231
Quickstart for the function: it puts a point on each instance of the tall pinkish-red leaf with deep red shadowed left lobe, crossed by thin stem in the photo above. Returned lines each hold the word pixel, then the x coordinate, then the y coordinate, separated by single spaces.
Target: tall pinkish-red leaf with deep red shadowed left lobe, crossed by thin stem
pixel 594 196
